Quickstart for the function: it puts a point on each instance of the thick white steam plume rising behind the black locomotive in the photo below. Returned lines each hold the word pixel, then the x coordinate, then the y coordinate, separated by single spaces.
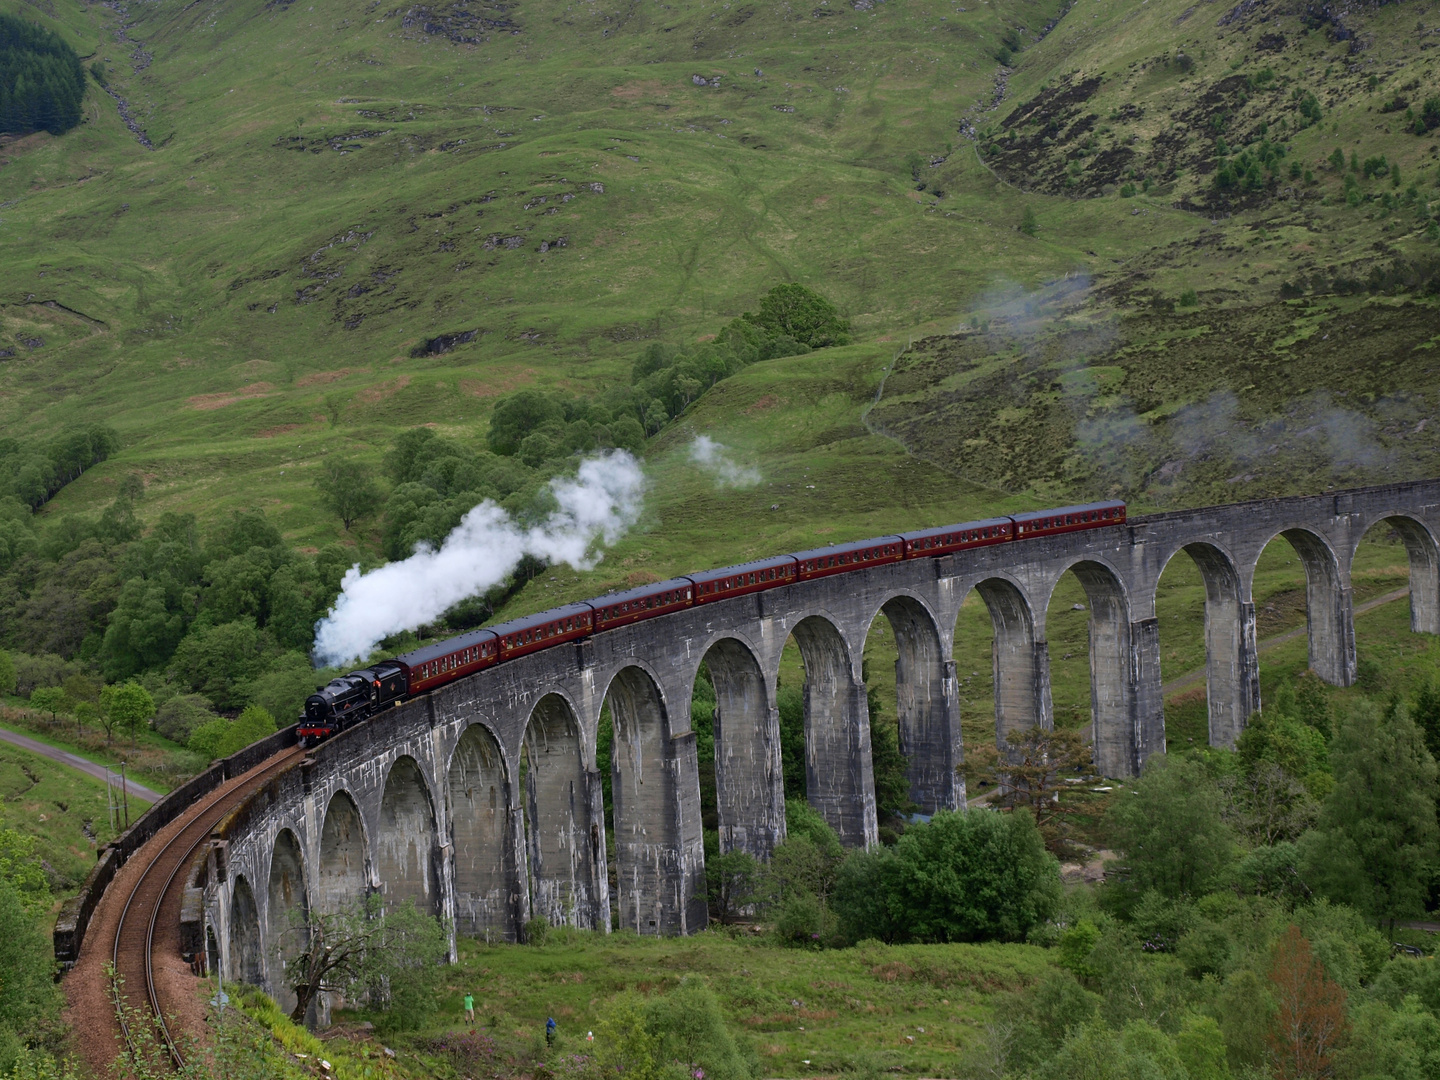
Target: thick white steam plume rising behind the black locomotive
pixel 600 505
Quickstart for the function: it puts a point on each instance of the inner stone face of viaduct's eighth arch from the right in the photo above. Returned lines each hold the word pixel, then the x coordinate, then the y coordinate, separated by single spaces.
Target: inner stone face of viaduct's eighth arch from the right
pixel 750 786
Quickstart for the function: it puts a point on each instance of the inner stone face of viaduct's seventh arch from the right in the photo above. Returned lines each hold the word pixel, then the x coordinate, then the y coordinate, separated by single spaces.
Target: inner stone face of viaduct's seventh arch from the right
pixel 839 777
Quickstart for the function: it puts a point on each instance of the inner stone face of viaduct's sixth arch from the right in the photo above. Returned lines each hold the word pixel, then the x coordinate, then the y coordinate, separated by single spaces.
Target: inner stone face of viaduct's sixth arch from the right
pixel 927 706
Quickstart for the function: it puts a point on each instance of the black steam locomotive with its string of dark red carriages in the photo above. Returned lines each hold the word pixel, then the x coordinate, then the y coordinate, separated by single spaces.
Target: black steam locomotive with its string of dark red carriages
pixel 349 699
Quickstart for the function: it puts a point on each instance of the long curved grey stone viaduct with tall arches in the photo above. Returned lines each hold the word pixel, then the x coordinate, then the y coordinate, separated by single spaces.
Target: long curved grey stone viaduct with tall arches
pixel 483 804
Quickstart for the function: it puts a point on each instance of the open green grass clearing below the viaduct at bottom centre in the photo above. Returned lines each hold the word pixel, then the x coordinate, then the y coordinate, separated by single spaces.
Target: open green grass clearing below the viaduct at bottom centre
pixel 840 1009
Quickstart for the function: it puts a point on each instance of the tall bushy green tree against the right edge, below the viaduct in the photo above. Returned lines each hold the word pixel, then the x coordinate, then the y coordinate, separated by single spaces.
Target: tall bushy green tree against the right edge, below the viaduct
pixel 1377 837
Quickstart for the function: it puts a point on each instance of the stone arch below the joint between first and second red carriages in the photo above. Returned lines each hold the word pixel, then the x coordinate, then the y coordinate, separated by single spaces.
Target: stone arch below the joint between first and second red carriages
pixel 482 837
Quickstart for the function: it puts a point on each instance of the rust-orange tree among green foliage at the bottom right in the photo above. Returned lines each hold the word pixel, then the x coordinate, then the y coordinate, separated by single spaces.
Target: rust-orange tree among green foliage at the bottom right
pixel 1310 1020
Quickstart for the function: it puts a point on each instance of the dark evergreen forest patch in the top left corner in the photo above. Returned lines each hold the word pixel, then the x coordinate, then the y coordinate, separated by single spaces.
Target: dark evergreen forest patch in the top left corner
pixel 42 81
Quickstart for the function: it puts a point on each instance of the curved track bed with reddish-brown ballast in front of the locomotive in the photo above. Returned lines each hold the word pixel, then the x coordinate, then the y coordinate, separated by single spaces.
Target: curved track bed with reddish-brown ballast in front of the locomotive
pixel 140 915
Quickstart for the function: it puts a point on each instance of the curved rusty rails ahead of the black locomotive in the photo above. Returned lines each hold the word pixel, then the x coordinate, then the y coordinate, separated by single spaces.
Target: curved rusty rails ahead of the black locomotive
pixel 158 895
